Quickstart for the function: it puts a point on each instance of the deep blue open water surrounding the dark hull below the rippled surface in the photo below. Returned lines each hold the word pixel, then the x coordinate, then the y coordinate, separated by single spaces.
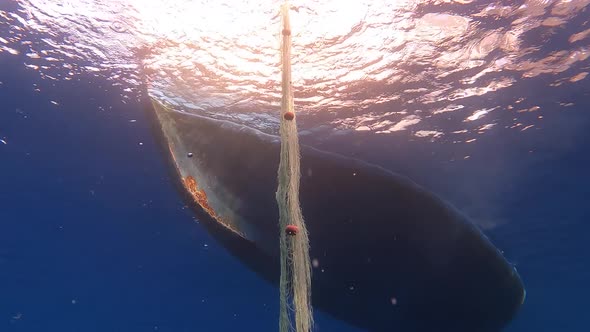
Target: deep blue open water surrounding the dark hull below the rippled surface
pixel 95 237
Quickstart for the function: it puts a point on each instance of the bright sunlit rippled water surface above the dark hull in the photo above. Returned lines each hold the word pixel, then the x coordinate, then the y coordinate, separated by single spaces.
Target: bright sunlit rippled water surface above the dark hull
pixel 377 66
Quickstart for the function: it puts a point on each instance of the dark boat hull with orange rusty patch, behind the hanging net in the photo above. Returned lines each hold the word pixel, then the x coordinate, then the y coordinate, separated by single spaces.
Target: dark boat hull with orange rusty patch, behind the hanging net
pixel 388 255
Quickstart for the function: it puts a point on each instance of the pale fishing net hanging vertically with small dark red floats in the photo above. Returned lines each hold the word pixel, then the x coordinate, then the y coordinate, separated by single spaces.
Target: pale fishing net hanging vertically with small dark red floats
pixel 295 283
